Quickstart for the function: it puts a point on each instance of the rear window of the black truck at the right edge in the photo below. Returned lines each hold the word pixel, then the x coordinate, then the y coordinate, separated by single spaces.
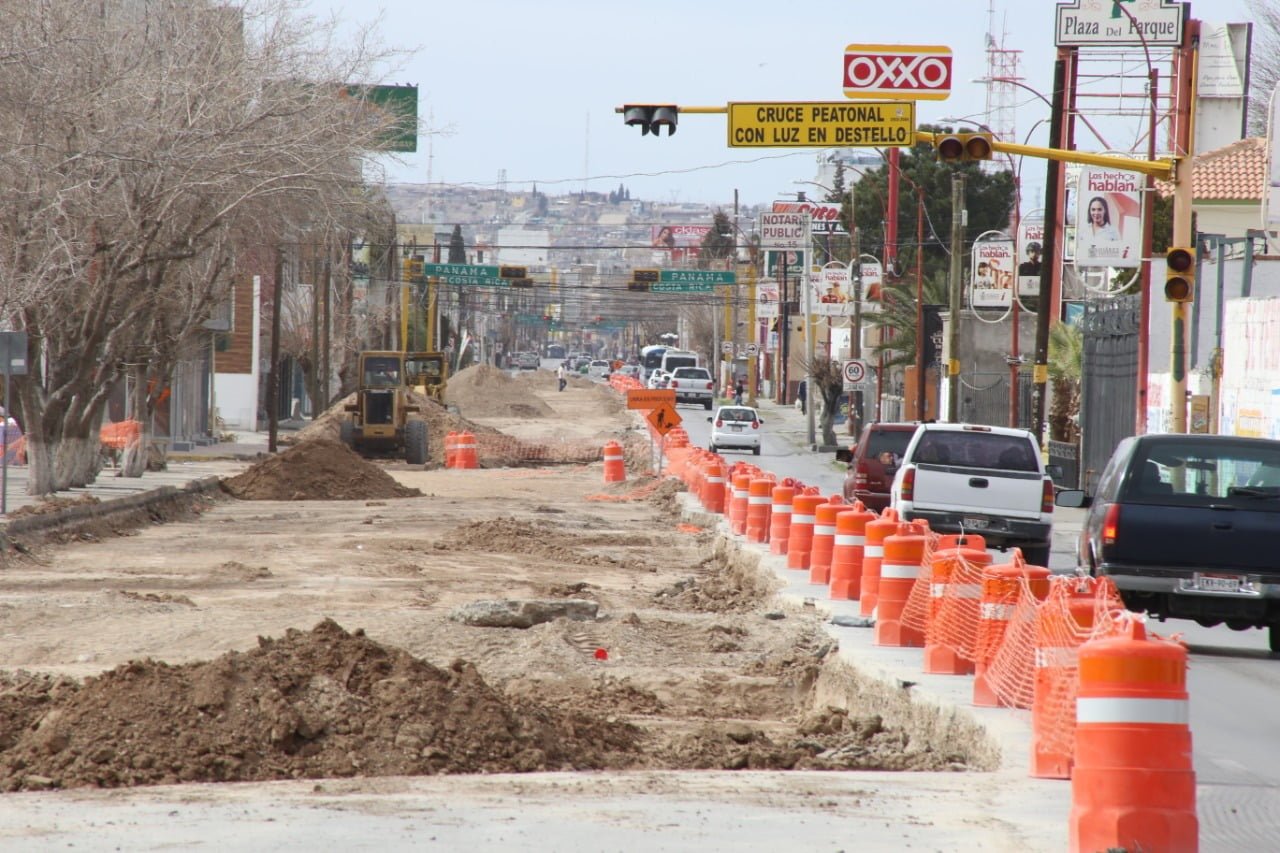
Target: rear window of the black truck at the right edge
pixel 1232 472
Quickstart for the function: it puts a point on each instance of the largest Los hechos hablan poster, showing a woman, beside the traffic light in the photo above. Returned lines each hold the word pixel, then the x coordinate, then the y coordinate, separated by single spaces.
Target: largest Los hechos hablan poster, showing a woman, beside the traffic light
pixel 1109 218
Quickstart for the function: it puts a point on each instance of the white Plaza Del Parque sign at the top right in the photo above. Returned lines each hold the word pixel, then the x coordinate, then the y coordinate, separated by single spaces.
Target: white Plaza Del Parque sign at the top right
pixel 1090 24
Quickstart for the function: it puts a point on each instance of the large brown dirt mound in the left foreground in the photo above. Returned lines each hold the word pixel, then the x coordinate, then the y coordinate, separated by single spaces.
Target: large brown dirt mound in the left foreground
pixel 312 705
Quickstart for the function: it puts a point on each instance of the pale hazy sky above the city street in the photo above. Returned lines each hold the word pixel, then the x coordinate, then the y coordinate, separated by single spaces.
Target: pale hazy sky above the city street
pixel 529 88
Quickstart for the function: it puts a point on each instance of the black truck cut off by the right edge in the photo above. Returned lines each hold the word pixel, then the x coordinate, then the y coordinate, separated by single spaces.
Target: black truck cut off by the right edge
pixel 1188 527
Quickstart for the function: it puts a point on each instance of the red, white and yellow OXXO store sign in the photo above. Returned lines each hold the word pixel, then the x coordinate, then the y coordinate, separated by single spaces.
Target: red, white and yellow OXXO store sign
pixel 907 72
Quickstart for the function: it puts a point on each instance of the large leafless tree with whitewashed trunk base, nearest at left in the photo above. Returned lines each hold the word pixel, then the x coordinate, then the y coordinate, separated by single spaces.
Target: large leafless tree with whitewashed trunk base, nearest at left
pixel 138 142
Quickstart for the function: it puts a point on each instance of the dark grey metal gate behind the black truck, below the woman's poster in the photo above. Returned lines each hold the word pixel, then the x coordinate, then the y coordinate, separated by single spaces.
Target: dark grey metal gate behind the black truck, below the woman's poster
pixel 1109 386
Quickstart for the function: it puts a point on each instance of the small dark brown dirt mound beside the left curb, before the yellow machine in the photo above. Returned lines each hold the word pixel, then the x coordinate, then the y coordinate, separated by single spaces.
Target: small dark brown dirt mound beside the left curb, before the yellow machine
pixel 317 471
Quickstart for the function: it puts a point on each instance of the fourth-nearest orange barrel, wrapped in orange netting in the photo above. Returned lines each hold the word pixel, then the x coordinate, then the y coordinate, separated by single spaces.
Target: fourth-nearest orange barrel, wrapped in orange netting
pixel 956 592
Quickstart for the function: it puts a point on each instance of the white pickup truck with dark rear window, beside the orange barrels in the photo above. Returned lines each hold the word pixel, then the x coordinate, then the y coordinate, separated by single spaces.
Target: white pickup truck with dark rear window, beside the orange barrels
pixel 990 481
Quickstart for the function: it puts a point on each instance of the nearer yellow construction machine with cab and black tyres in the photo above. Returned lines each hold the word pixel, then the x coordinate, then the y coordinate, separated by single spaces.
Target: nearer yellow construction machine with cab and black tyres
pixel 383 419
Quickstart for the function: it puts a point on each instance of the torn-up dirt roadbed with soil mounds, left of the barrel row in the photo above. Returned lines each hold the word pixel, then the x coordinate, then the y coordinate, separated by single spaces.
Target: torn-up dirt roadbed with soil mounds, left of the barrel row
pixel 342 654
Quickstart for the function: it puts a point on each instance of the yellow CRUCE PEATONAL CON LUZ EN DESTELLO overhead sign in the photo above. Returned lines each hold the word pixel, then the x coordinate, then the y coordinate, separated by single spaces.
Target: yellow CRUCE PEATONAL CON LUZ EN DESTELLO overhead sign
pixel 821 125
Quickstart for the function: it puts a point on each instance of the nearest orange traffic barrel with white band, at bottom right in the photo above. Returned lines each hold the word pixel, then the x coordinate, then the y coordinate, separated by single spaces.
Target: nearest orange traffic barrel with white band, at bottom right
pixel 1133 784
